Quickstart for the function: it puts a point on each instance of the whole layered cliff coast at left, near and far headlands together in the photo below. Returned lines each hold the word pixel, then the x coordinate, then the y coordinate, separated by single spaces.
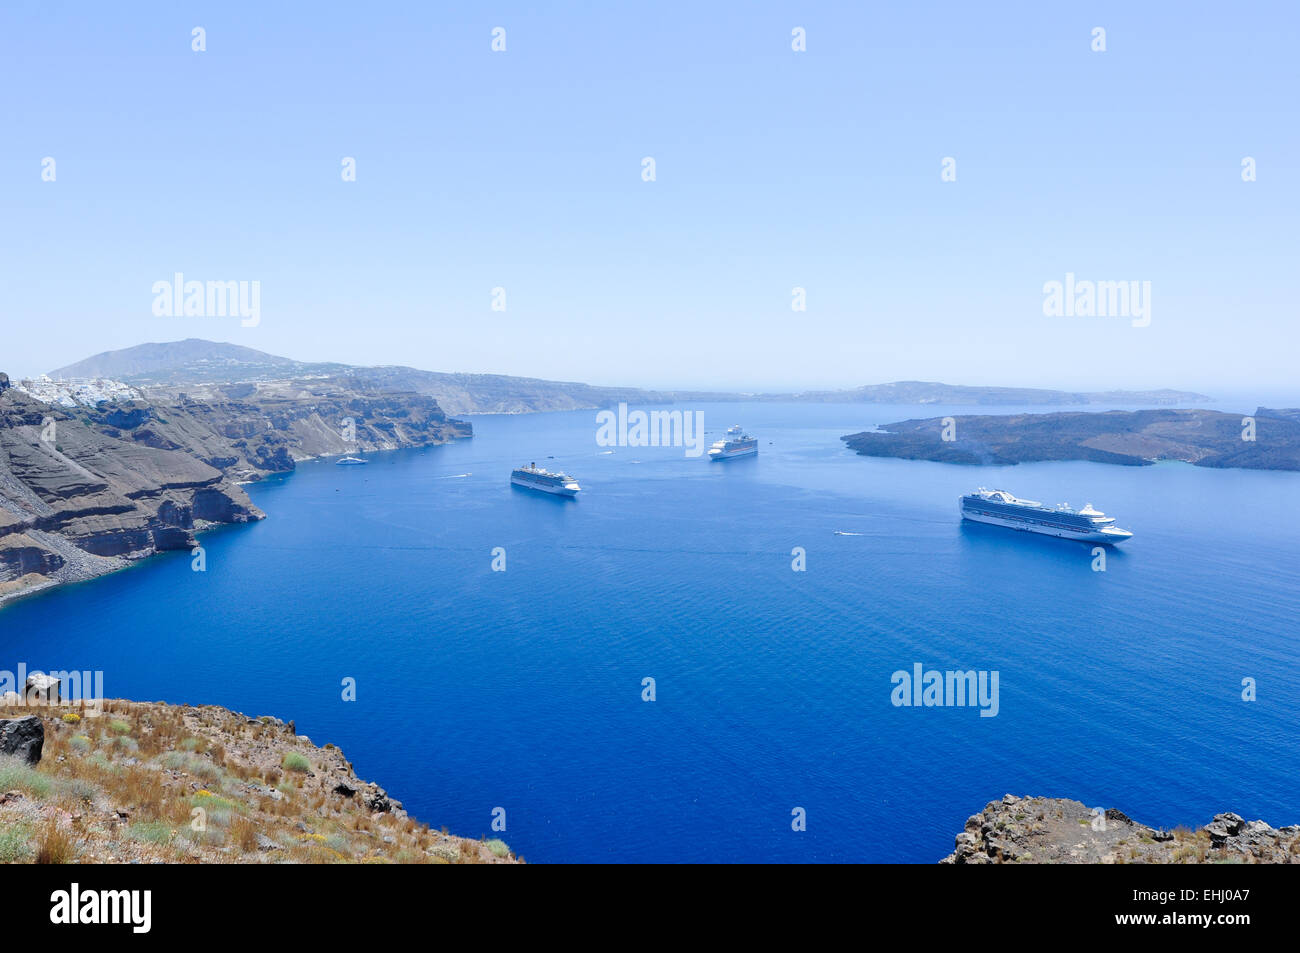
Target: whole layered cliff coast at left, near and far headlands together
pixel 86 491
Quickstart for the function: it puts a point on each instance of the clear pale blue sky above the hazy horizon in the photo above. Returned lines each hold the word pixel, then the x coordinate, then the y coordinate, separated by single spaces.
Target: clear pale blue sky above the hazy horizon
pixel 775 170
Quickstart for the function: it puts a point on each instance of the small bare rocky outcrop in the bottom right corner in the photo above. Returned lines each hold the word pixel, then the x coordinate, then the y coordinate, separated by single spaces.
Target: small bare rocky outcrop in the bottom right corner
pixel 1047 830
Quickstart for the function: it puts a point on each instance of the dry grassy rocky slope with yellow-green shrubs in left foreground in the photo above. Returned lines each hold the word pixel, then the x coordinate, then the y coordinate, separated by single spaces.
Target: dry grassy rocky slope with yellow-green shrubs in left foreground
pixel 148 782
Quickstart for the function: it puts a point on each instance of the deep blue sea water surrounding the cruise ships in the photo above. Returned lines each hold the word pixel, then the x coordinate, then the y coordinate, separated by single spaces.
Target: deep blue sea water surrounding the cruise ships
pixel 523 690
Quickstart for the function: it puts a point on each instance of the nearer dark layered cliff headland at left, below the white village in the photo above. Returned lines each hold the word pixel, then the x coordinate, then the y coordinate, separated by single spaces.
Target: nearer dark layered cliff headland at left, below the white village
pixel 77 503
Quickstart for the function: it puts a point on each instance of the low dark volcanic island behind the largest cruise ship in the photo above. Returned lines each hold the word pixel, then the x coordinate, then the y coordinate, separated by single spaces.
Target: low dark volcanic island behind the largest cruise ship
pixel 1136 439
